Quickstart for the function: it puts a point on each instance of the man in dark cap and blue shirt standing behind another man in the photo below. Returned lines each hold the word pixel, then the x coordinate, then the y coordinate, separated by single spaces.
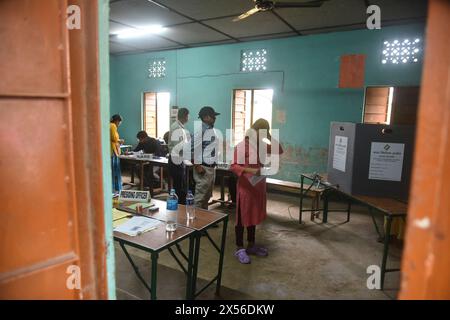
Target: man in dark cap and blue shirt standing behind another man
pixel 204 150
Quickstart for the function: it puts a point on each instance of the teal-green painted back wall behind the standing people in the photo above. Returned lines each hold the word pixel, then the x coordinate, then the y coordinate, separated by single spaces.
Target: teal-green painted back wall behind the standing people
pixel 303 71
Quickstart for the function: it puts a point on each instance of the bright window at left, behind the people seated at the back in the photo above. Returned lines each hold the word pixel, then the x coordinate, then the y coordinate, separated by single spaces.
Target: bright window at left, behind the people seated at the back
pixel 156 113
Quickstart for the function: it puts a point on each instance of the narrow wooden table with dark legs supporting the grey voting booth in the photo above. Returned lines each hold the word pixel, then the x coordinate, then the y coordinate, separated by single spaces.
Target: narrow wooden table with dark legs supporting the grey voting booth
pixel 390 208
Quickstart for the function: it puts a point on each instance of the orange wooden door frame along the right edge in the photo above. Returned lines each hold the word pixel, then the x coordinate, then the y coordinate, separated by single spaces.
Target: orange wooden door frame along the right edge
pixel 426 258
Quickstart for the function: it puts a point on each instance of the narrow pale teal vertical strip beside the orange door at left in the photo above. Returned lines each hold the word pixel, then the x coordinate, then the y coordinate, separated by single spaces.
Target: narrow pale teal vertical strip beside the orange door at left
pixel 103 31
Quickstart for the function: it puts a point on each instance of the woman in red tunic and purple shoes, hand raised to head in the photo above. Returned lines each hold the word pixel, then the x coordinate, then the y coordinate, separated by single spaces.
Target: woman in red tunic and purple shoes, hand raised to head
pixel 251 199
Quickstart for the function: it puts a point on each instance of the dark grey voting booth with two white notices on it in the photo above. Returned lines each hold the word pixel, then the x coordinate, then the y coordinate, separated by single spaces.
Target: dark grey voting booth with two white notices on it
pixel 371 159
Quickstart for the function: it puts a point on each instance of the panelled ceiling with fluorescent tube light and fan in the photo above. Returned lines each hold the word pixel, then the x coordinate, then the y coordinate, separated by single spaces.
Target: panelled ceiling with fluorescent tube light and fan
pixel 193 23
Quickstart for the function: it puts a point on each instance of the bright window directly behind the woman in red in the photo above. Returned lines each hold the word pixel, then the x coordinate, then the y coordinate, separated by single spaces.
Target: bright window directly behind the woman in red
pixel 248 106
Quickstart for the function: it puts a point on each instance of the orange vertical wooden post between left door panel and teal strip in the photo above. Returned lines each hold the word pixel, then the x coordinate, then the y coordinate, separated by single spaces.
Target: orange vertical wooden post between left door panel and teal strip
pixel 87 126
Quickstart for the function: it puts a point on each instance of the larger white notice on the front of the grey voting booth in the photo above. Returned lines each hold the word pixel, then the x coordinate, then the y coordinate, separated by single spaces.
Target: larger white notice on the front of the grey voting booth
pixel 386 161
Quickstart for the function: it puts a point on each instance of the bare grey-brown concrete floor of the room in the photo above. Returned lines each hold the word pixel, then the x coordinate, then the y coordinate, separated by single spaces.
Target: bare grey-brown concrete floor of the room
pixel 309 261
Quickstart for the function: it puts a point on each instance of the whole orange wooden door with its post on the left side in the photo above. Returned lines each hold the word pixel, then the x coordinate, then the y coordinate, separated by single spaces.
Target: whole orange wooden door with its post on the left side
pixel 50 225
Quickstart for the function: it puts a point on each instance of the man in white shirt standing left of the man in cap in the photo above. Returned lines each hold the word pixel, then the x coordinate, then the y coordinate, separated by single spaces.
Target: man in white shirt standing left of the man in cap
pixel 177 169
